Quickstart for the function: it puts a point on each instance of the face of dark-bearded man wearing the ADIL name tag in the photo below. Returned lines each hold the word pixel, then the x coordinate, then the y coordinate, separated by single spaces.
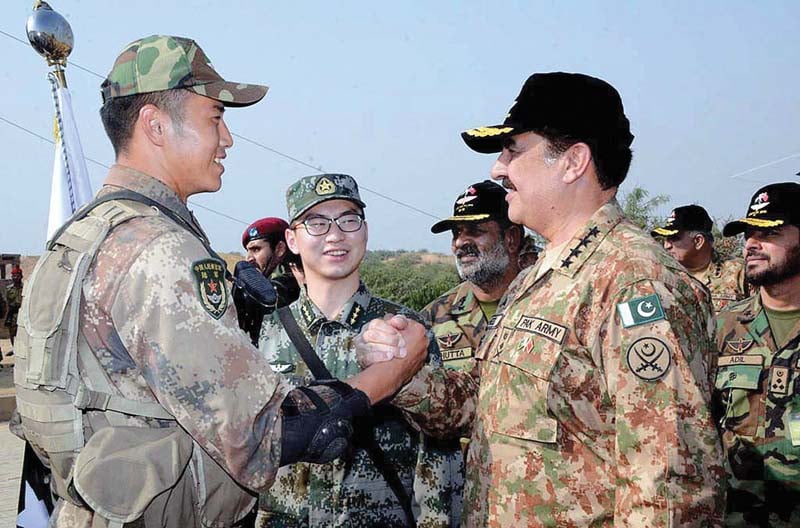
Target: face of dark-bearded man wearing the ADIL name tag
pixel 772 255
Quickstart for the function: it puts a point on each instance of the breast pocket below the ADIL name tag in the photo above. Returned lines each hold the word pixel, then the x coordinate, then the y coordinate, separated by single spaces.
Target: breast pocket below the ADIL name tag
pixel 738 380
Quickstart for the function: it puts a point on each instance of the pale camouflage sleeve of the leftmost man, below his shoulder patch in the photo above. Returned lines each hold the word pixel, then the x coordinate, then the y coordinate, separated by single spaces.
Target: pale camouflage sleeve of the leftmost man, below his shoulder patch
pixel 200 366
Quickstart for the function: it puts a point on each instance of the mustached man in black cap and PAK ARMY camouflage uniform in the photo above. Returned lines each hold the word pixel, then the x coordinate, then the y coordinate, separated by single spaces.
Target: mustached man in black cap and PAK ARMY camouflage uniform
pixel 591 408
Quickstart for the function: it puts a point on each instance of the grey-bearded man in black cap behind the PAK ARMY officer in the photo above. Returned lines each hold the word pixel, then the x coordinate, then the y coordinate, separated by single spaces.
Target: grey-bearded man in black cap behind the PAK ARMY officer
pixel 486 245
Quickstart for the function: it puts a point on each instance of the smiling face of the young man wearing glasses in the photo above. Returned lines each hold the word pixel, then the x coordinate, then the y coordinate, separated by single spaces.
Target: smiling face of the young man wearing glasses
pixel 335 255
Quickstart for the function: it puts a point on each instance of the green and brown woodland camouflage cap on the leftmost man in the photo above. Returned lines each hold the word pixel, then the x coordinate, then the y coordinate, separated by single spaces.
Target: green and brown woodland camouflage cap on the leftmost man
pixel 161 62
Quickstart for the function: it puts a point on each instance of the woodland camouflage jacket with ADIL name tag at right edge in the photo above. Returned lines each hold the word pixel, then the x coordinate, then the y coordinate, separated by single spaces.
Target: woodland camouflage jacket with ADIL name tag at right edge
pixel 757 405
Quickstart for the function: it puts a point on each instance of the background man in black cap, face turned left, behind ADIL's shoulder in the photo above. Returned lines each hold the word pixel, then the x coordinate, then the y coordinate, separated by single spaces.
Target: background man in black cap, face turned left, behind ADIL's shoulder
pixel 687 236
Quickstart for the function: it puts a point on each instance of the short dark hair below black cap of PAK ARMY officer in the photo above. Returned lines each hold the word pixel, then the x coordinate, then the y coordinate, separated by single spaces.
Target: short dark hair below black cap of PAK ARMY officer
pixel 612 161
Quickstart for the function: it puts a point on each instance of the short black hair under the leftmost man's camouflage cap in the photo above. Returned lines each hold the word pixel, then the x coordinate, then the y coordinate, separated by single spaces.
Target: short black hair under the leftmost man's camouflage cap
pixel 119 114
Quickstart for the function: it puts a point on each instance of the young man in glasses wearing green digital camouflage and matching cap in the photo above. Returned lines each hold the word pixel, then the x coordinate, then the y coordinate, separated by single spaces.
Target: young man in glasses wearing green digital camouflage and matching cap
pixel 329 233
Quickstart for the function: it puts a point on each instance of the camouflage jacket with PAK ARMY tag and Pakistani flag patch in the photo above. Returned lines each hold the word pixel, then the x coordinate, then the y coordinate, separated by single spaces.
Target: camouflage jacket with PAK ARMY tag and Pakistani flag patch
pixel 593 406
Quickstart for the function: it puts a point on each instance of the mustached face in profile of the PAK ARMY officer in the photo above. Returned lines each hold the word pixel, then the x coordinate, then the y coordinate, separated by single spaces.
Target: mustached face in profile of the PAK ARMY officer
pixel 533 180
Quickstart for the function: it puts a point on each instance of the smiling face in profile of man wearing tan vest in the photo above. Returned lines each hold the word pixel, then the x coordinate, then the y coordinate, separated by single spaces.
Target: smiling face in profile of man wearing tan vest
pixel 196 145
